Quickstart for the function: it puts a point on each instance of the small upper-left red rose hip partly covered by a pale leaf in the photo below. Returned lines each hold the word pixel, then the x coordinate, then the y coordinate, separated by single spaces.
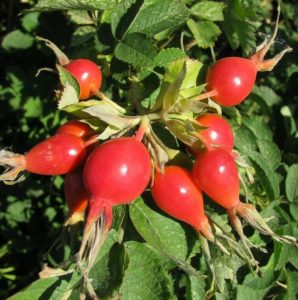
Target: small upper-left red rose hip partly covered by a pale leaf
pixel 88 74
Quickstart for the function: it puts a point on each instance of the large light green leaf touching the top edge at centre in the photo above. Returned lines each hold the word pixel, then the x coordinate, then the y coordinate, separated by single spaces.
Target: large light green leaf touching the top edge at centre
pixel 158 17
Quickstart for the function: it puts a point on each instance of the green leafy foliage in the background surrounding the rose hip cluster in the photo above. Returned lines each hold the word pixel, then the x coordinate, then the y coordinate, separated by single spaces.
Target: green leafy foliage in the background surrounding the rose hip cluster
pixel 155 257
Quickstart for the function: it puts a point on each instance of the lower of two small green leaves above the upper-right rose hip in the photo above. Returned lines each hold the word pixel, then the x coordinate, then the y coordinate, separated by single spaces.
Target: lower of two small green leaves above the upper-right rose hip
pixel 204 32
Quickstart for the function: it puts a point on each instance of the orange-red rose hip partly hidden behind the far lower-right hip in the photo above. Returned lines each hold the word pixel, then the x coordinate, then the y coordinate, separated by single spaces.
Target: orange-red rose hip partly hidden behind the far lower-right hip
pixel 218 134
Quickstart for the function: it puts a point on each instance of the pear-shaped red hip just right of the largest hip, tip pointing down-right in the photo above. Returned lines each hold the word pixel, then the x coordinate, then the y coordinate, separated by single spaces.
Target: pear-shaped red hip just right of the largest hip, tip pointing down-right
pixel 176 193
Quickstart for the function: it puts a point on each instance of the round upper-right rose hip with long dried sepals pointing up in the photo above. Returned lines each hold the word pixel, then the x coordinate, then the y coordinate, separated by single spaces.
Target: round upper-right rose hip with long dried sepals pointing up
pixel 230 80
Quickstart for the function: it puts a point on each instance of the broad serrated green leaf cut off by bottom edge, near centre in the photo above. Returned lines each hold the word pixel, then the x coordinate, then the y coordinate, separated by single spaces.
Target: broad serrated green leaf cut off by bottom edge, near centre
pixel 144 277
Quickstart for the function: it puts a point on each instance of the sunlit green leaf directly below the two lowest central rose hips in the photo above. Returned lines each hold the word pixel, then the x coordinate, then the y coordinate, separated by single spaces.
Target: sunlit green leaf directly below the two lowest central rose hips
pixel 160 231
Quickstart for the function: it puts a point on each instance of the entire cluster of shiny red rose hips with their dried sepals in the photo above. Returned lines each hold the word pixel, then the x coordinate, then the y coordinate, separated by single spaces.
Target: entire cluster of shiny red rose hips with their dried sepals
pixel 99 176
